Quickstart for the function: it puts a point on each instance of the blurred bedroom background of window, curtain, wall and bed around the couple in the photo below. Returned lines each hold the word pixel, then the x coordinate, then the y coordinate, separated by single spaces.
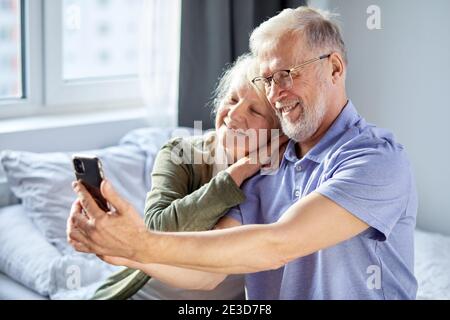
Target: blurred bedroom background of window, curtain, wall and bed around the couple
pixel 120 77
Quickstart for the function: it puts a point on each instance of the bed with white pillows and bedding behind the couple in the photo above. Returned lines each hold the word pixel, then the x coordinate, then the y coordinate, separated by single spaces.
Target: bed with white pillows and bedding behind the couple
pixel 37 263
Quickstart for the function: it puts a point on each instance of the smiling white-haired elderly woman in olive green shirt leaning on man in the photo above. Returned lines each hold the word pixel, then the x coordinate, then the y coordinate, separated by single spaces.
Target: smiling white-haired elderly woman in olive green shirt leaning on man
pixel 195 181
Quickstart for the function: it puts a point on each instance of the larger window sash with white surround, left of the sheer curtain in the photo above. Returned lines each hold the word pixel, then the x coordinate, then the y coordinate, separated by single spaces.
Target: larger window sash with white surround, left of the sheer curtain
pixel 81 68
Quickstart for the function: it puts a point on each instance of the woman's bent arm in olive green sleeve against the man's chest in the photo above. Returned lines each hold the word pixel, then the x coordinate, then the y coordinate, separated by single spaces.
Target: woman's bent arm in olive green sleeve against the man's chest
pixel 173 205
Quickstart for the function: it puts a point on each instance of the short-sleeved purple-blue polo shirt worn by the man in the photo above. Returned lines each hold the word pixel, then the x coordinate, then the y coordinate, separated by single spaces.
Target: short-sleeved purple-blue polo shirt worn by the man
pixel 362 169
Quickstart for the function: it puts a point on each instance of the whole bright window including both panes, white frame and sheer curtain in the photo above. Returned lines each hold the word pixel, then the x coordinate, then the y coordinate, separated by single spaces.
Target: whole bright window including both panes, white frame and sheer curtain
pixel 60 56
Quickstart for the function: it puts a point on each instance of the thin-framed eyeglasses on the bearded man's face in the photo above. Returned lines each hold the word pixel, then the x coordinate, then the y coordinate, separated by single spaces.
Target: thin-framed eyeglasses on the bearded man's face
pixel 283 78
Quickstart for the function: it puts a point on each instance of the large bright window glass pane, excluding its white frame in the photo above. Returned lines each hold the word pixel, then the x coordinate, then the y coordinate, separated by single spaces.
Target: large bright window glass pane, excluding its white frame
pixel 101 38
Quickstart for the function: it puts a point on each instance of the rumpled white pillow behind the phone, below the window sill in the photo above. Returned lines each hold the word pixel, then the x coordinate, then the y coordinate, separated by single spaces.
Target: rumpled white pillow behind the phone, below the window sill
pixel 43 181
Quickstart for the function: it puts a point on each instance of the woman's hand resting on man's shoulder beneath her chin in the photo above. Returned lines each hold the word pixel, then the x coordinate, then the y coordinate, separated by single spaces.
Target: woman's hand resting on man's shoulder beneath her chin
pixel 268 156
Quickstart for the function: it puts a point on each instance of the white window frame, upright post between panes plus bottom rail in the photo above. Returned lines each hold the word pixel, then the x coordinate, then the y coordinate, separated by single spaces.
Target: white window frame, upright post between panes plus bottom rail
pixel 44 91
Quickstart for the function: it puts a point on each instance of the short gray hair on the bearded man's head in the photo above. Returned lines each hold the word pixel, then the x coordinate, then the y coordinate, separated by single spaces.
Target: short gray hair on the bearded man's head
pixel 317 27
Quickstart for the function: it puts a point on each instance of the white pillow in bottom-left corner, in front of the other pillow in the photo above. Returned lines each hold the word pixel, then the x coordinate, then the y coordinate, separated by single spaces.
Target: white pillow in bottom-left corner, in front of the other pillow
pixel 27 258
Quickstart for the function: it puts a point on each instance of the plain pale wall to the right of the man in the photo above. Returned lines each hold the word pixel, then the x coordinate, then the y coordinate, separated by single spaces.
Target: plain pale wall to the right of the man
pixel 399 78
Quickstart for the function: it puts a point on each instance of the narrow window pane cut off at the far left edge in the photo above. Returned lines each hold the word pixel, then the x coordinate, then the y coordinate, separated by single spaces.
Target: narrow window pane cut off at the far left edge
pixel 10 50
